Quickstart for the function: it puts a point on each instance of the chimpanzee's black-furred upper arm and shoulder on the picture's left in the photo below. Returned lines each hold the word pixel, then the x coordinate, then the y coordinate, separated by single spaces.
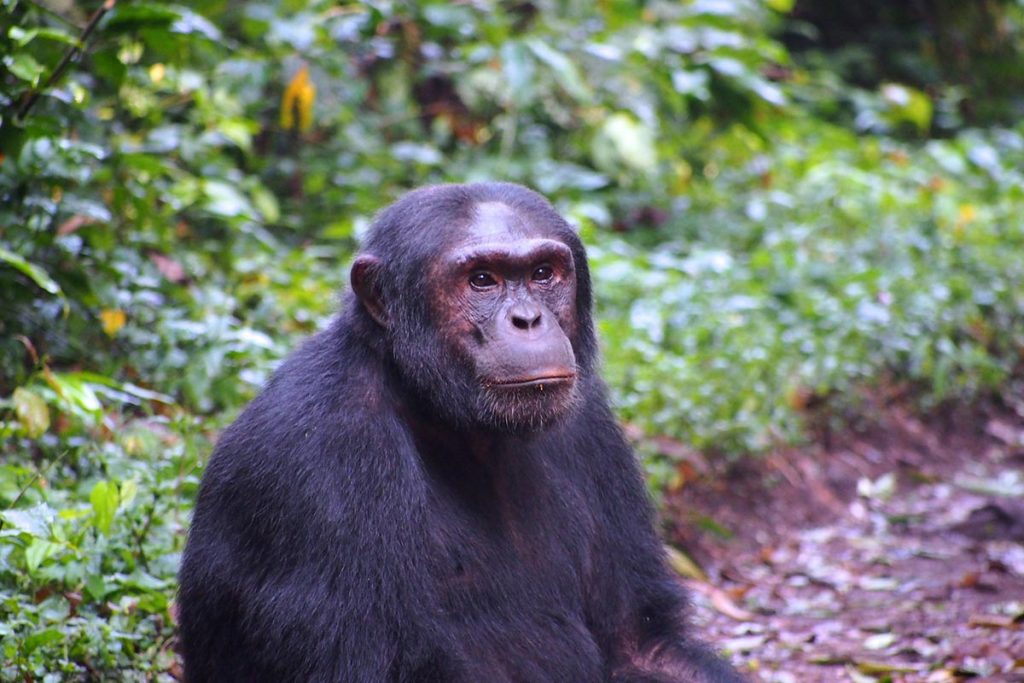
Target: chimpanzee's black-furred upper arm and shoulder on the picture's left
pixel 304 564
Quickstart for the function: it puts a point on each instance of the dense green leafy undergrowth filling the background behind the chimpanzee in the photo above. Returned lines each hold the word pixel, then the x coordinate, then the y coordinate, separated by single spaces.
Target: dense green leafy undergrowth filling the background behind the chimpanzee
pixel 179 209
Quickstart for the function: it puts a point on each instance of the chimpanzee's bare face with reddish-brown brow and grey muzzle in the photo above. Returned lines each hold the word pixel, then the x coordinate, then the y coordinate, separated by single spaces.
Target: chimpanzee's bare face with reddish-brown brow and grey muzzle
pixel 504 297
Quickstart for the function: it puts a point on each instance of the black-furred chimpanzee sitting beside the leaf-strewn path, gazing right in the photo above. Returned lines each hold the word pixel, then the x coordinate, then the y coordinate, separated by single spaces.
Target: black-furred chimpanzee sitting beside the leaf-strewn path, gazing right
pixel 435 489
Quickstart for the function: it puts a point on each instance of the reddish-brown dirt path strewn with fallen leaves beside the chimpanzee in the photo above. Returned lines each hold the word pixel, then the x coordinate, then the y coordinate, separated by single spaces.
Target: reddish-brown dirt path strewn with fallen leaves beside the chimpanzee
pixel 891 551
